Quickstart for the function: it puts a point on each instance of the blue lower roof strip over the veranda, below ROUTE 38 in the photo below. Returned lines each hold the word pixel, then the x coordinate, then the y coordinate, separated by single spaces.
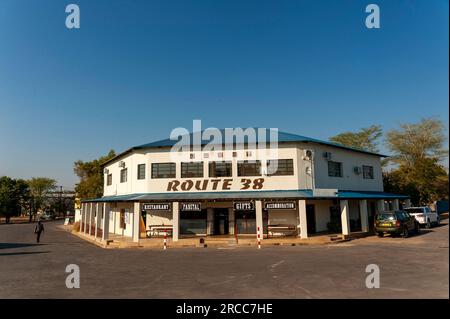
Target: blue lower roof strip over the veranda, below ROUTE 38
pixel 300 193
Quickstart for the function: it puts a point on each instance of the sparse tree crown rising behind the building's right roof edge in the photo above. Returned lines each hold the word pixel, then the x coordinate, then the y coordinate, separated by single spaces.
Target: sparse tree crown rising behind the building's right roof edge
pixel 365 139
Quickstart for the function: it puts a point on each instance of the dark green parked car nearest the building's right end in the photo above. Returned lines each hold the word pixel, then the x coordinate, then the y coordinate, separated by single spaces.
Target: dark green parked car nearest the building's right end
pixel 396 223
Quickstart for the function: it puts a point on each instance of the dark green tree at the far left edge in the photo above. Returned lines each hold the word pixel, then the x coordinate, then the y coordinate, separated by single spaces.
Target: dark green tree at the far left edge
pixel 12 195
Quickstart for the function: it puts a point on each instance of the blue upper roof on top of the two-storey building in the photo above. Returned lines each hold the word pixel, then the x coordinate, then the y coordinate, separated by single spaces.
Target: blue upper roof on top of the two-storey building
pixel 283 137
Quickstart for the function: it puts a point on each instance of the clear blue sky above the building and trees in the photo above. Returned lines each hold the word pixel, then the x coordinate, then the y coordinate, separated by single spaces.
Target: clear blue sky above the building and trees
pixel 137 69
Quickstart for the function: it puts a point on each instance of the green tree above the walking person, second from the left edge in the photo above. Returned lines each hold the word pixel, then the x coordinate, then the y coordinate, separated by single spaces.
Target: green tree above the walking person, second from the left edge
pixel 40 188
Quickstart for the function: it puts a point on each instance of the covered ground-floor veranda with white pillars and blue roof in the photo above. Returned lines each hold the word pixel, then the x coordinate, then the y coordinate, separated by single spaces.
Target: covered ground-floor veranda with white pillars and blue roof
pixel 124 212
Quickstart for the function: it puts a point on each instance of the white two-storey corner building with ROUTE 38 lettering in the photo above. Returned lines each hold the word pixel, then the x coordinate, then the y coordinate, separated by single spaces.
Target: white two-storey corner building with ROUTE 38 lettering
pixel 302 187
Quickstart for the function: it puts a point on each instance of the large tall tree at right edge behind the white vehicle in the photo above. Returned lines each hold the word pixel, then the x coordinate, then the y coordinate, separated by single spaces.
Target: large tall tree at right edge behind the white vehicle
pixel 417 152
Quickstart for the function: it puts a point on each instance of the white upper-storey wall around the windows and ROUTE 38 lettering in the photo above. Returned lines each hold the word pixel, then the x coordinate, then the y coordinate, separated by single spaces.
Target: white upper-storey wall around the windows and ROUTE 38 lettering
pixel 300 180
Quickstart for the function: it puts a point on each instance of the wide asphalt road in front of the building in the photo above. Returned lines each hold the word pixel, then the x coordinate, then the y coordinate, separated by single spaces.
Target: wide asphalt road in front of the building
pixel 416 267
